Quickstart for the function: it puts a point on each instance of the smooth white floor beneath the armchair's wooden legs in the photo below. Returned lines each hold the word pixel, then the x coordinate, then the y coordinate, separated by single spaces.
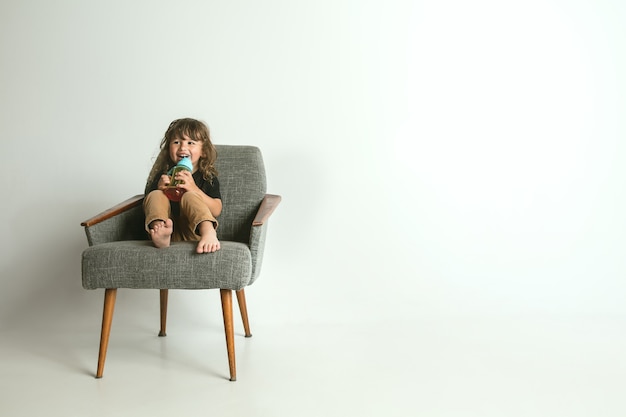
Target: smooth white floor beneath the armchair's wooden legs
pixel 524 366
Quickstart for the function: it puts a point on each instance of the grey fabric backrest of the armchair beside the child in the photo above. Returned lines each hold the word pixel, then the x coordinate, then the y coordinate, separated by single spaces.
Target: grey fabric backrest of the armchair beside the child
pixel 241 174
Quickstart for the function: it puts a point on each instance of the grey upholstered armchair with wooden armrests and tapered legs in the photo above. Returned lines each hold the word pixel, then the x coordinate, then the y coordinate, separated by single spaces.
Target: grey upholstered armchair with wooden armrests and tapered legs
pixel 120 255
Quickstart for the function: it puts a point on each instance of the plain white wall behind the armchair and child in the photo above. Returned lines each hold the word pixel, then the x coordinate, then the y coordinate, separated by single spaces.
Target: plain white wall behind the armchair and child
pixel 435 157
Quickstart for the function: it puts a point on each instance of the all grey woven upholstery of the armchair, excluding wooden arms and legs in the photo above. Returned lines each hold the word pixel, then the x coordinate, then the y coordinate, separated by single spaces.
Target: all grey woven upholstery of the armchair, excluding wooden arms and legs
pixel 120 256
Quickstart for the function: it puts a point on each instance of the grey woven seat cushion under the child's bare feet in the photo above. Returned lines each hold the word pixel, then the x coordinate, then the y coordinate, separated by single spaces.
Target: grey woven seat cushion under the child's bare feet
pixel 138 264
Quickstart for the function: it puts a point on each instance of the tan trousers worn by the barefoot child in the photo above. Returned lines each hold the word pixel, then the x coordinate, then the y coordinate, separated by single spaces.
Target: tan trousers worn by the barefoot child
pixel 193 211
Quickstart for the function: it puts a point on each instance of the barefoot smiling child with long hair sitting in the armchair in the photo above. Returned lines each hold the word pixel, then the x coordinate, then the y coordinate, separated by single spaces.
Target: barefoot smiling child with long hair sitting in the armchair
pixel 194 217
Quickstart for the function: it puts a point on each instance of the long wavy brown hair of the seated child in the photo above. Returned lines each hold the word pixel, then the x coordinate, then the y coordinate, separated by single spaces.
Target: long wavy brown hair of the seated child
pixel 195 130
